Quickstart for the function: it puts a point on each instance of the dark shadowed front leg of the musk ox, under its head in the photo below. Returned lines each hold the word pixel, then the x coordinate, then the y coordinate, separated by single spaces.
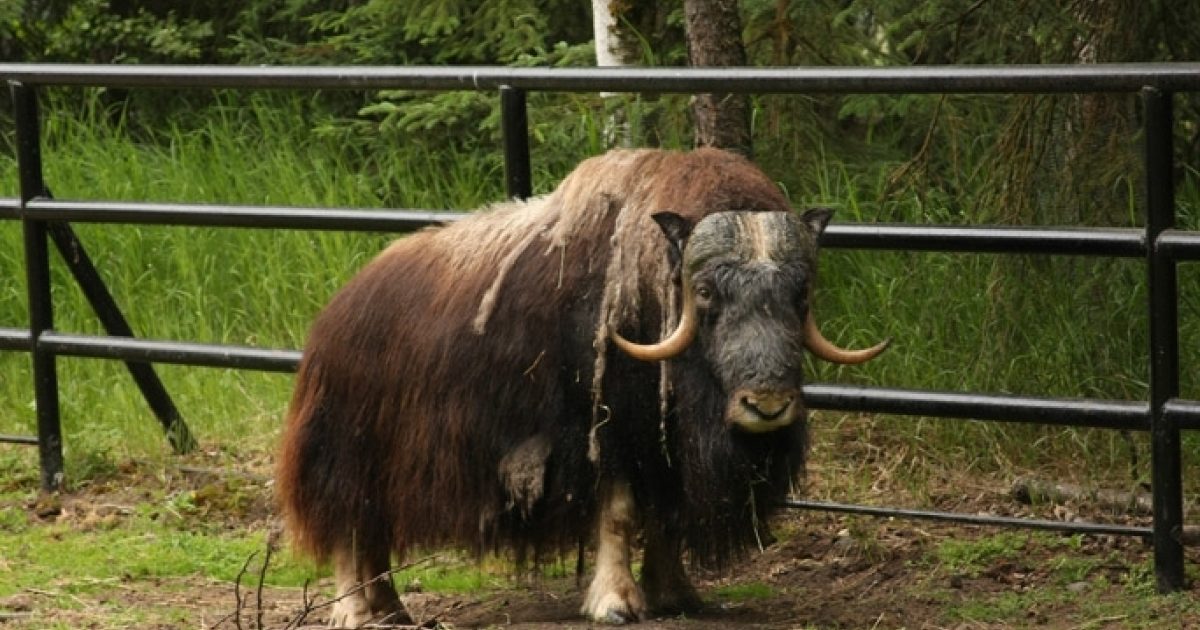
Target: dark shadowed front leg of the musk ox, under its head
pixel 664 579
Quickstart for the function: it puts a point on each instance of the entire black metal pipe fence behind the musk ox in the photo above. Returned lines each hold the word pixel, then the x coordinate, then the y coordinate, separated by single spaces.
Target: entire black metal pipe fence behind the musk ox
pixel 1161 245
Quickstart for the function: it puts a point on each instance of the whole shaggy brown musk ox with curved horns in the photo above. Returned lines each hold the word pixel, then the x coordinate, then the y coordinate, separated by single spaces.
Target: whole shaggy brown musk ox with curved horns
pixel 475 386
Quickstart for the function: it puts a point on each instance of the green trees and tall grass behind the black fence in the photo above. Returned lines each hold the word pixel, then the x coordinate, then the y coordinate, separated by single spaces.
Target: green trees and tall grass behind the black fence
pixel 1025 325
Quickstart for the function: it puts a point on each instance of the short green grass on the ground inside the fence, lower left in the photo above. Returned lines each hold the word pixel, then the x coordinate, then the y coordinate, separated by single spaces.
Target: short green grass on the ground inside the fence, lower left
pixel 145 527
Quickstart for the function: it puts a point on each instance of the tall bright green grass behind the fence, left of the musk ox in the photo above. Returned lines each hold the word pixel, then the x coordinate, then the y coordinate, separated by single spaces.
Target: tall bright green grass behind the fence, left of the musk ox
pixel 209 285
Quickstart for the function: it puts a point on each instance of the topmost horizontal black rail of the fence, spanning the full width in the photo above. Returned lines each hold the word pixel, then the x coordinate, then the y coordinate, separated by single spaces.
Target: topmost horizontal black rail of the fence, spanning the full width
pixel 921 80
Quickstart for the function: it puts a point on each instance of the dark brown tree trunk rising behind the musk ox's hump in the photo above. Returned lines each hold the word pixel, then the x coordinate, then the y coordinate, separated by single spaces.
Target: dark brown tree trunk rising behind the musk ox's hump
pixel 715 39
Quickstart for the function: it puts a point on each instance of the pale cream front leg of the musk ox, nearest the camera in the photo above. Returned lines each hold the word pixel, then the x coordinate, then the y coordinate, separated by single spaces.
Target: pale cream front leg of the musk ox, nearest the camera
pixel 614 597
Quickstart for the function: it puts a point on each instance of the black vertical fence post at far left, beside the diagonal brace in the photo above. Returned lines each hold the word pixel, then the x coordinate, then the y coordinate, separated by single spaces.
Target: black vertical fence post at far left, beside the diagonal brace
pixel 38 278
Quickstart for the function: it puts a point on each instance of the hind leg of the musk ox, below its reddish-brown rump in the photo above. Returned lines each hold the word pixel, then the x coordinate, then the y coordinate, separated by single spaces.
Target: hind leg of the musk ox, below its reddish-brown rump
pixel 364 592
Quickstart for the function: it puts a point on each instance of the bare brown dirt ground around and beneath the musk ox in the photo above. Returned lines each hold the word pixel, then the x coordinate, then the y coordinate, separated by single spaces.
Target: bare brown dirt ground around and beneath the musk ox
pixel 826 572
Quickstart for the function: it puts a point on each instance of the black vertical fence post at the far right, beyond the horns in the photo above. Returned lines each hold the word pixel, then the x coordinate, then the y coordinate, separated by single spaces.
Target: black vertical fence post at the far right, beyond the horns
pixel 1165 347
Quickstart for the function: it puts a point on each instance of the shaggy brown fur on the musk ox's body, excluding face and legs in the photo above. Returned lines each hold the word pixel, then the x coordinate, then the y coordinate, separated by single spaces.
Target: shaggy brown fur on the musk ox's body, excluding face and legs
pixel 453 391
